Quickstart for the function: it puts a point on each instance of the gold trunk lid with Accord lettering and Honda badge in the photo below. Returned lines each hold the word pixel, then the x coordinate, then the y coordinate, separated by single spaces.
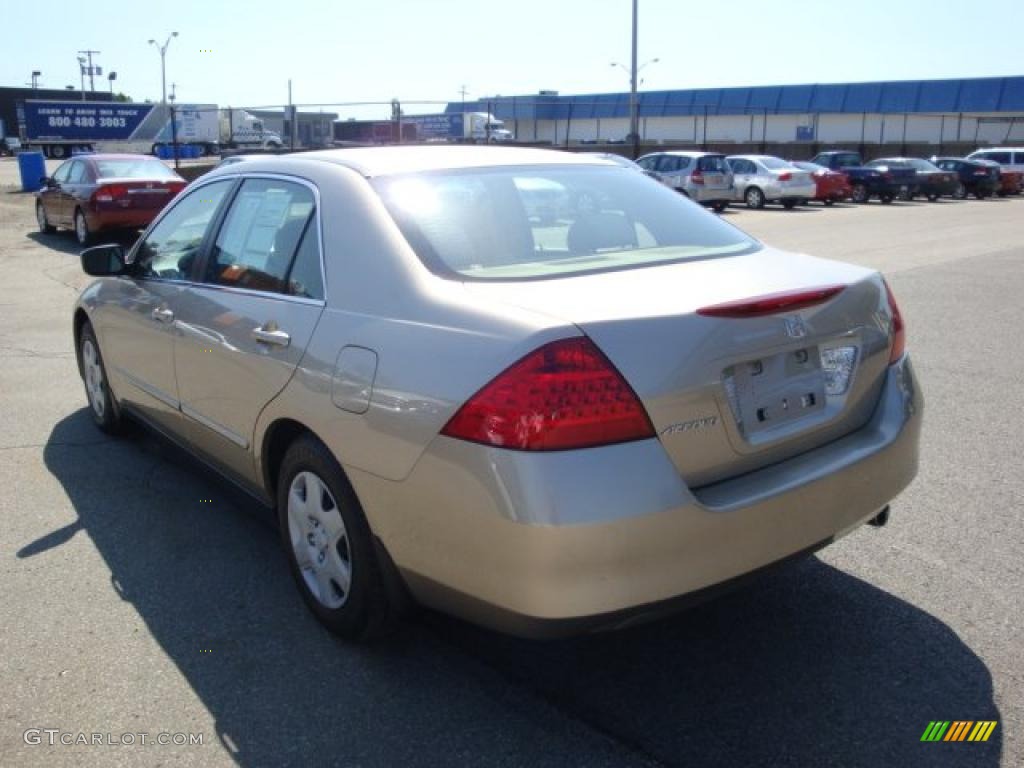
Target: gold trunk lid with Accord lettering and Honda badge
pixel 729 395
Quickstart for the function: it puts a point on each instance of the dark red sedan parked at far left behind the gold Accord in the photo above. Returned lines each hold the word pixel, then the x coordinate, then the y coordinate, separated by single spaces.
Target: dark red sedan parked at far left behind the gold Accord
pixel 93 193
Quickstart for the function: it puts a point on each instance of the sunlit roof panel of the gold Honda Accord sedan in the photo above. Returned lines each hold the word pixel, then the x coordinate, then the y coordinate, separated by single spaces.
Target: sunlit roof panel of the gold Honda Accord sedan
pixel 385 161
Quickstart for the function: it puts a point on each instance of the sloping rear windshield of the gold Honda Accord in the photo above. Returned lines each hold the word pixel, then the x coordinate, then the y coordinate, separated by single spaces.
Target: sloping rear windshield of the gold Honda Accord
pixel 549 222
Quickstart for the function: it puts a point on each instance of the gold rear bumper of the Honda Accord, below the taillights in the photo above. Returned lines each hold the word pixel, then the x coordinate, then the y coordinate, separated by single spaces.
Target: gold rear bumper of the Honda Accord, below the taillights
pixel 548 544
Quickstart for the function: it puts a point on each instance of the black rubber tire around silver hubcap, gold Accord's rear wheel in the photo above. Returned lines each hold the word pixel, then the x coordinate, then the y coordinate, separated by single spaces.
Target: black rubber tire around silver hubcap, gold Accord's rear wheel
pixel 368 610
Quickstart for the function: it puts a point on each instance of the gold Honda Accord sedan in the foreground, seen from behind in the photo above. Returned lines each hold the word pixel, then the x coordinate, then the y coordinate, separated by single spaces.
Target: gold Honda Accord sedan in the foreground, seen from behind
pixel 541 429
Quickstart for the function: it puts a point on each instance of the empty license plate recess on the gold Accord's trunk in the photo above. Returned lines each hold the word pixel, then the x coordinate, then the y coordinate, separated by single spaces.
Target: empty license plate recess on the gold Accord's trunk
pixel 777 391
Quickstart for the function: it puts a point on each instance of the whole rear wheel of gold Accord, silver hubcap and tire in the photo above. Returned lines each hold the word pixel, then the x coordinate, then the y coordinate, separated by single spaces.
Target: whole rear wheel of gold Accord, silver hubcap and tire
pixel 329 545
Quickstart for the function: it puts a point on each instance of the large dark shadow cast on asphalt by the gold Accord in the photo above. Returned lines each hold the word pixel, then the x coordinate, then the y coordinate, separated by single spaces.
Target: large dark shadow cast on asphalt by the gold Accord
pixel 809 667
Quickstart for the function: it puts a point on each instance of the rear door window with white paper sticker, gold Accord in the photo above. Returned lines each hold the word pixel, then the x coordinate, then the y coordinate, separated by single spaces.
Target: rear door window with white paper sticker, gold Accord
pixel 261 236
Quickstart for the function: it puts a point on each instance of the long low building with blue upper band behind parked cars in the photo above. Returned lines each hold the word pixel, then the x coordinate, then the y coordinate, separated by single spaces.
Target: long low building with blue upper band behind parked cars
pixel 973 112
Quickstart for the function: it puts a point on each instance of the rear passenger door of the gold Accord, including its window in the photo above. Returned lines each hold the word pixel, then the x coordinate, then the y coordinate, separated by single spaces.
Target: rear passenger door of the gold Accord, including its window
pixel 244 327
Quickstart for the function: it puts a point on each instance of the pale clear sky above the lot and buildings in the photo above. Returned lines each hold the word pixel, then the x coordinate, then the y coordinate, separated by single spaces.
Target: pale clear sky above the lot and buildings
pixel 244 54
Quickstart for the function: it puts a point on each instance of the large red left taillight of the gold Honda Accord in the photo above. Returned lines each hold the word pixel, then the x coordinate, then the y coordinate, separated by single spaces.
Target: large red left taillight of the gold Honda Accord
pixel 565 396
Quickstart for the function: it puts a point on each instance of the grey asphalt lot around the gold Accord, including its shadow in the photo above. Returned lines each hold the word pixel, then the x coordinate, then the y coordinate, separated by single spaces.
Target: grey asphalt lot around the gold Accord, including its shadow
pixel 133 605
